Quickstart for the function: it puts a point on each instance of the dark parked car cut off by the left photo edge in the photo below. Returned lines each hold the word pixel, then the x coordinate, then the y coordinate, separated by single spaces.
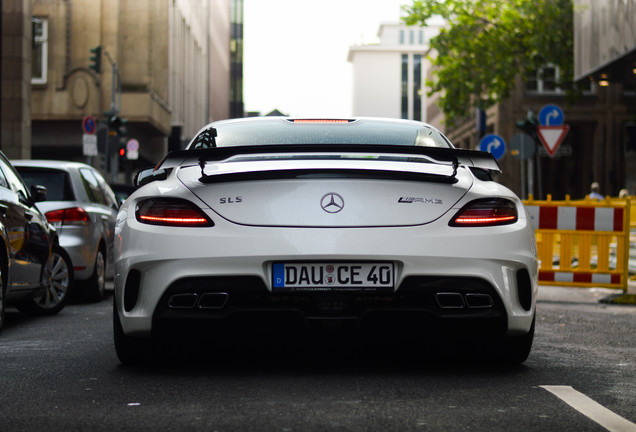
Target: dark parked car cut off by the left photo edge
pixel 36 274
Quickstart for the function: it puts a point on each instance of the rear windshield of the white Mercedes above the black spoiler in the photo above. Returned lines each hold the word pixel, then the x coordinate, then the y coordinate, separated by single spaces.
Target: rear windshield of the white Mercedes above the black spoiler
pixel 347 132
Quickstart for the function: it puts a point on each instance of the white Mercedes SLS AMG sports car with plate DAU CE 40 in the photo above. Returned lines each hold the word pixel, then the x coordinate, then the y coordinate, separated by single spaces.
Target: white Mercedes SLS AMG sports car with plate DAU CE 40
pixel 293 226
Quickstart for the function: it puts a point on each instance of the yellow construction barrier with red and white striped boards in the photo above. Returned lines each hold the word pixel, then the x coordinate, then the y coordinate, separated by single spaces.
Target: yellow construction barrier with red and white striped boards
pixel 583 243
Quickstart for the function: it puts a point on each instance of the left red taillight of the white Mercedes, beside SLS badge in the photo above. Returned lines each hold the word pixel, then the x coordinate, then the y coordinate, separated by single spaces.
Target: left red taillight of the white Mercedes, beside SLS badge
pixel 171 212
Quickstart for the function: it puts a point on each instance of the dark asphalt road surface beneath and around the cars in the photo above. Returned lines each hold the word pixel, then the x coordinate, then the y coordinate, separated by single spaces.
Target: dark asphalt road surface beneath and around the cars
pixel 61 373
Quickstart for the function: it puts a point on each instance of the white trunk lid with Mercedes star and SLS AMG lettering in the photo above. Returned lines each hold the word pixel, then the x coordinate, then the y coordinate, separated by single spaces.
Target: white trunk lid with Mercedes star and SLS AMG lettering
pixel 293 202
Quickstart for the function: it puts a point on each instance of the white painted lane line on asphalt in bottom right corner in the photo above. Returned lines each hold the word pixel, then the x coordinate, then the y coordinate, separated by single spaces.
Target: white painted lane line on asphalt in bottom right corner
pixel 588 407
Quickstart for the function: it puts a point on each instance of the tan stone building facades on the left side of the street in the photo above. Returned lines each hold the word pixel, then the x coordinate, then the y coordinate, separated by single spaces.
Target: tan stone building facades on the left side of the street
pixel 165 68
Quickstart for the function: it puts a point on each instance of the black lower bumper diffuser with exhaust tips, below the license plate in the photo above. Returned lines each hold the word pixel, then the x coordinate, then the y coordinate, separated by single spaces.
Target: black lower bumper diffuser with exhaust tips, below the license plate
pixel 430 307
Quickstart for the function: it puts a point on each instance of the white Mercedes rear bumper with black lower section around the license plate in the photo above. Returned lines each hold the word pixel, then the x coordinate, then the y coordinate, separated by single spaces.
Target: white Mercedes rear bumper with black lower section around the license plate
pixel 222 279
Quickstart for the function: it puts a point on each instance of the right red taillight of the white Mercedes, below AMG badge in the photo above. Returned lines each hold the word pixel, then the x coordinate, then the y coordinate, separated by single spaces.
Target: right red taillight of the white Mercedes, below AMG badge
pixel 486 212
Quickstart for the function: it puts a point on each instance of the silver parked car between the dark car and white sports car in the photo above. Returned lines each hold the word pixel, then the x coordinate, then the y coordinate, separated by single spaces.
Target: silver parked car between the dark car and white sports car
pixel 83 208
